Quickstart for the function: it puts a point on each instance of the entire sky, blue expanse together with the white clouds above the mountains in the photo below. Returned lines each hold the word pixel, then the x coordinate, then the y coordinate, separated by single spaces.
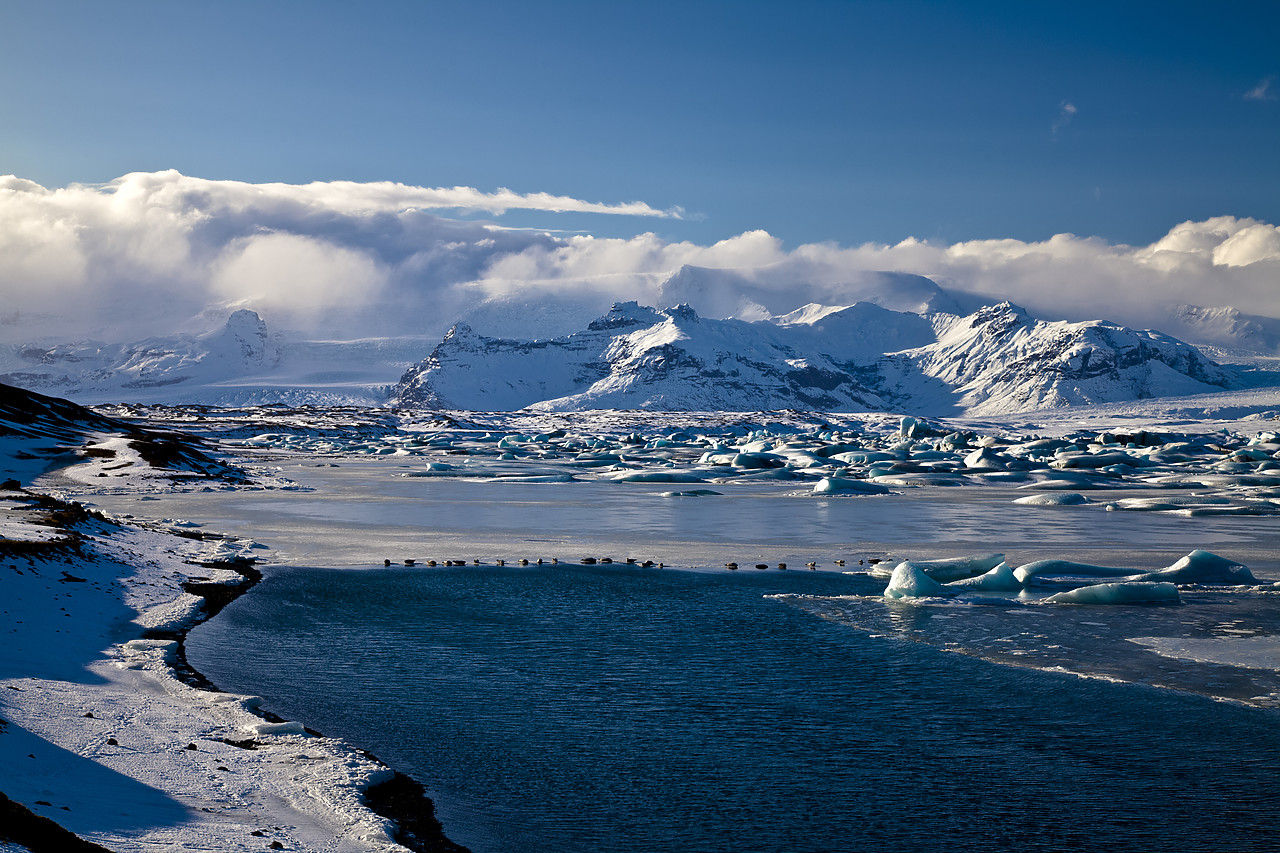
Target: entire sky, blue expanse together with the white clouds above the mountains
pixel 671 127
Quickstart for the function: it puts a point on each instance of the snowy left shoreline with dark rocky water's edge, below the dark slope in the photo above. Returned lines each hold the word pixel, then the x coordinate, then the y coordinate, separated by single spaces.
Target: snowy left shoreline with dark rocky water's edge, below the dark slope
pixel 153 644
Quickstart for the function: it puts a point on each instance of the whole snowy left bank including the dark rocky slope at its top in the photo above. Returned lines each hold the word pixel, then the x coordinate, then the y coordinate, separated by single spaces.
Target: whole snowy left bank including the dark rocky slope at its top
pixel 103 727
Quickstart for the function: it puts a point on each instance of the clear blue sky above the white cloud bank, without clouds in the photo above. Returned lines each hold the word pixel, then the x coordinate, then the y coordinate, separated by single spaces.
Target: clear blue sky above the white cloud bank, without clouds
pixel 822 121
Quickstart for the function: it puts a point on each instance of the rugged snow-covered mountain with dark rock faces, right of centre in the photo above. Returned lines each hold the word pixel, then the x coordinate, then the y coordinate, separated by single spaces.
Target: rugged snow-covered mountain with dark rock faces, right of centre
pixel 853 358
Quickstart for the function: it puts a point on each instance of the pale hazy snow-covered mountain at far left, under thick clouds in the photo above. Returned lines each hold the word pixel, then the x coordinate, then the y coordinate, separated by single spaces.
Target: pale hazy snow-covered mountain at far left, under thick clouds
pixel 240 363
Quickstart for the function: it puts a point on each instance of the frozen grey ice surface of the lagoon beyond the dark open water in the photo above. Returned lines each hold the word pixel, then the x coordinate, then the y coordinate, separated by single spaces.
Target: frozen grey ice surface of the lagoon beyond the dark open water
pixel 360 513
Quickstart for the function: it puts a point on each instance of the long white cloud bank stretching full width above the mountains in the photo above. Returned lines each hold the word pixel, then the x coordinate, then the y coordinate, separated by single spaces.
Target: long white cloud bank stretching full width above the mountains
pixel 150 254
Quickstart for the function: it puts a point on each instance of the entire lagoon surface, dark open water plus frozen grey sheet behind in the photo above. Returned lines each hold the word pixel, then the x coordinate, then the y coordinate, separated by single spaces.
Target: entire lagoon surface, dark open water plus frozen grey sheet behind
pixel 584 709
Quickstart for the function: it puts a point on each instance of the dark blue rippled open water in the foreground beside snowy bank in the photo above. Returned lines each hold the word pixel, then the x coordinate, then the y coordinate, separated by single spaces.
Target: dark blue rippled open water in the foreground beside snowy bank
pixel 578 709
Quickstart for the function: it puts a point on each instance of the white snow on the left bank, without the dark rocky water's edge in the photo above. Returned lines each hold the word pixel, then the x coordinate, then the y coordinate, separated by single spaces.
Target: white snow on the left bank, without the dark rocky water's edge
pixel 98 727
